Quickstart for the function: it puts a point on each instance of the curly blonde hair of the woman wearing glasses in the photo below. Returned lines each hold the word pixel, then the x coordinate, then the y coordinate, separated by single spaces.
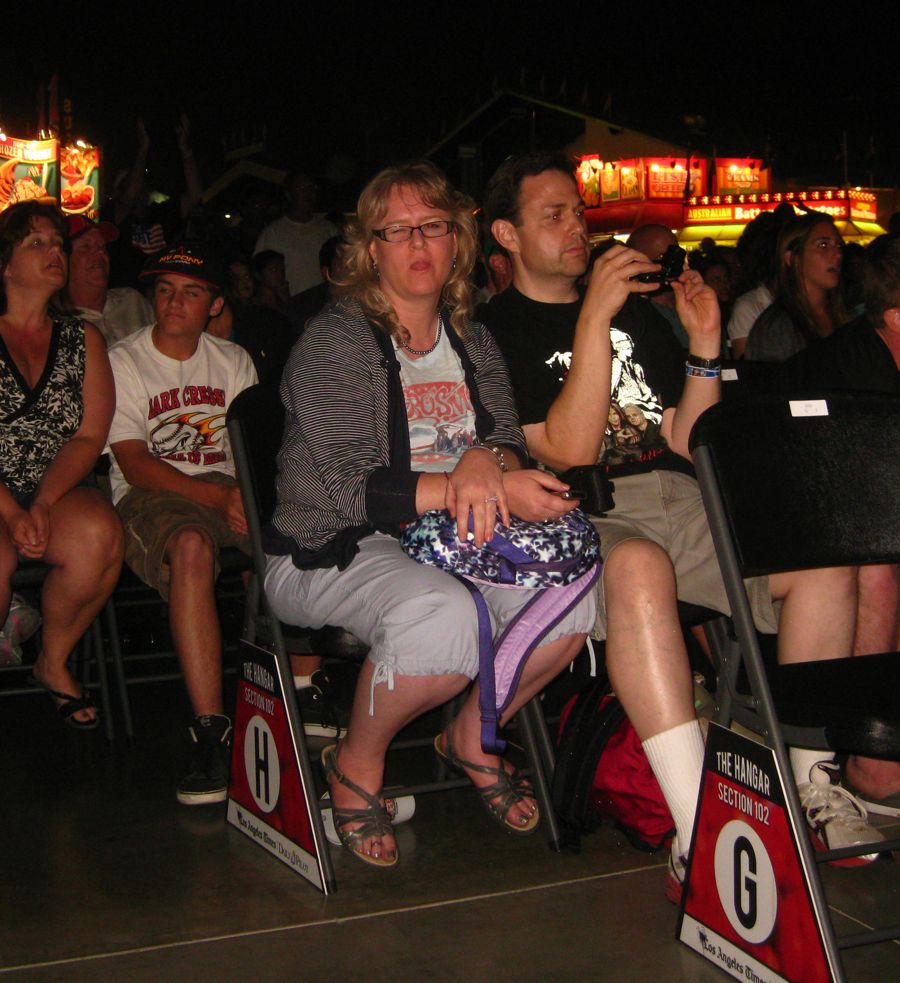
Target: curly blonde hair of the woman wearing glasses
pixel 358 279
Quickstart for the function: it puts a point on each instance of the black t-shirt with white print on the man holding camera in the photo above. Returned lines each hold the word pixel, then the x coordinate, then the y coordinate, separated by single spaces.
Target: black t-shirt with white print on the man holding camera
pixel 648 373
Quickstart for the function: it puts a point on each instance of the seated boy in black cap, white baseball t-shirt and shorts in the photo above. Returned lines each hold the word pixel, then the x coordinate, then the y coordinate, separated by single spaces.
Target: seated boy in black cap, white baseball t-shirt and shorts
pixel 173 483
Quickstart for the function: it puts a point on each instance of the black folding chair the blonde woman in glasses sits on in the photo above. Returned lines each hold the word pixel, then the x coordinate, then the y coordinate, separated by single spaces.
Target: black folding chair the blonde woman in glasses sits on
pixel 255 429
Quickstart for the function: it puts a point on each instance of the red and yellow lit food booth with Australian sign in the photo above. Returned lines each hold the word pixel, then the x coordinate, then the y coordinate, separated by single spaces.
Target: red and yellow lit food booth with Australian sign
pixel 621 195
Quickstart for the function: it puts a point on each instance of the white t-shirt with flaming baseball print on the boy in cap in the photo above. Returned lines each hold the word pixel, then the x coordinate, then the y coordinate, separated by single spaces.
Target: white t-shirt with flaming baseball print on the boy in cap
pixel 178 408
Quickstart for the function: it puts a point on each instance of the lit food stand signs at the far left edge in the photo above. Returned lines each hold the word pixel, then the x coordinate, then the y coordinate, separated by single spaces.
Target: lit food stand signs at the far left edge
pixel 46 171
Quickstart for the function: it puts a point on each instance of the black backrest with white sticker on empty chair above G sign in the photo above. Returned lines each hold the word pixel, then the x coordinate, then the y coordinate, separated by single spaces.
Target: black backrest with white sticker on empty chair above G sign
pixel 805 482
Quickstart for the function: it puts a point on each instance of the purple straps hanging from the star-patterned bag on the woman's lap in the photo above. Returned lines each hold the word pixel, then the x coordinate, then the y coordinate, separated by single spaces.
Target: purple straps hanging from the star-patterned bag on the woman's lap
pixel 501 665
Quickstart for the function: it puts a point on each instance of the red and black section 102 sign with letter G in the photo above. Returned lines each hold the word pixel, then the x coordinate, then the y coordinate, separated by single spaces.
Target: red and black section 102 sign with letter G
pixel 746 906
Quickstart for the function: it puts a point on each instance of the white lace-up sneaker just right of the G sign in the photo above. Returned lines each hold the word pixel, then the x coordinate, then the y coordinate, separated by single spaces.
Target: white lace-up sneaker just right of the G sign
pixel 836 818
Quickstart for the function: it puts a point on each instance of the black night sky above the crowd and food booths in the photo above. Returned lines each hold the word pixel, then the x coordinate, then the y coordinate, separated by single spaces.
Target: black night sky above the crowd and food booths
pixel 365 83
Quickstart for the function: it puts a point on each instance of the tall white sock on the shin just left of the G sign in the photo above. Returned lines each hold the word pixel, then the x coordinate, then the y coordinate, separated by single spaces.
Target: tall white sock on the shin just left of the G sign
pixel 676 757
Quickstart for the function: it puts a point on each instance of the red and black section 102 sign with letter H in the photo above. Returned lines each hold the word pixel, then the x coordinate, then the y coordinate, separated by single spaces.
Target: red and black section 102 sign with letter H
pixel 267 800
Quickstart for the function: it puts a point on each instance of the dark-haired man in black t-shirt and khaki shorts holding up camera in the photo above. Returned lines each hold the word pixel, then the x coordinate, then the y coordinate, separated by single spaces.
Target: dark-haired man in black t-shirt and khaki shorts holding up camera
pixel 602 378
